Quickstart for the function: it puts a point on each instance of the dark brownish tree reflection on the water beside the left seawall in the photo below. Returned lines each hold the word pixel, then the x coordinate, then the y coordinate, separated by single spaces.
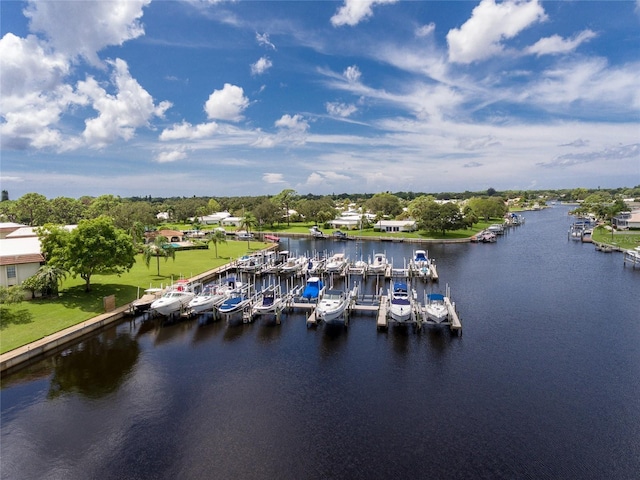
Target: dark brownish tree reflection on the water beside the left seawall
pixel 95 367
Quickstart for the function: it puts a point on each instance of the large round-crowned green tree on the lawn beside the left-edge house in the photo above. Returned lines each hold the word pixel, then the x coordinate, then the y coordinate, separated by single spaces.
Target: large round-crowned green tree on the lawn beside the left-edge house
pixel 94 247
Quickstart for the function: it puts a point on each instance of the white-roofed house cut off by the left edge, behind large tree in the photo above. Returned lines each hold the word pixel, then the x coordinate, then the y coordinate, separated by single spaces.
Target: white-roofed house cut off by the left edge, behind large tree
pixel 20 258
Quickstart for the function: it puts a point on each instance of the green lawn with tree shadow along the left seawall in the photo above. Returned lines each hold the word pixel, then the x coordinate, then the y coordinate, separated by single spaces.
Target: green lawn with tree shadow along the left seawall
pixel 31 320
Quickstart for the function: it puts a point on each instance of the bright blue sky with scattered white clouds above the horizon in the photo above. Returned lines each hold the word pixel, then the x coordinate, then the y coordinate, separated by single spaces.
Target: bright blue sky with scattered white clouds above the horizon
pixel 226 98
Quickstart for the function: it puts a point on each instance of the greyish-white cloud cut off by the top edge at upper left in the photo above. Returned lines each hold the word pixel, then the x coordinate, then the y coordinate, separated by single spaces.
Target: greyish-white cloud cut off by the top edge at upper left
pixel 85 28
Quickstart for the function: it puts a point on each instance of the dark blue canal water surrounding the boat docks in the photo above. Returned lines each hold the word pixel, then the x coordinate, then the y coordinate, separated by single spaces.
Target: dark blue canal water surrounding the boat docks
pixel 544 383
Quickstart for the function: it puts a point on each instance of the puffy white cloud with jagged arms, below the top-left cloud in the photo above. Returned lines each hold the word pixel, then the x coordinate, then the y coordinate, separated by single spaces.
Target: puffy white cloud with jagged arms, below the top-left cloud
pixel 120 114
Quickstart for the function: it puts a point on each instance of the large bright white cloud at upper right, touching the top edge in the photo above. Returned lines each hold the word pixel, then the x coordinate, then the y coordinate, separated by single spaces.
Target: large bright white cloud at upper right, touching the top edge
pixel 481 36
